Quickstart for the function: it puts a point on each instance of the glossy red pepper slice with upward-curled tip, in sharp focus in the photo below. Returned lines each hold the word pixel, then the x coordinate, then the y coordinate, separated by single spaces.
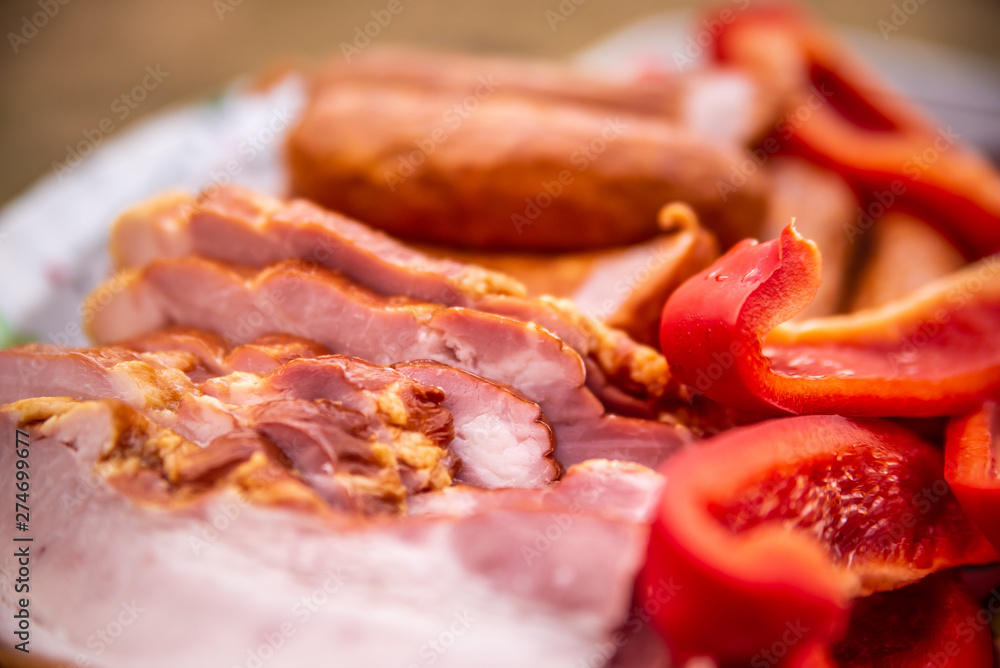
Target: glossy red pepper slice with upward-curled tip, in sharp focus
pixel 934 353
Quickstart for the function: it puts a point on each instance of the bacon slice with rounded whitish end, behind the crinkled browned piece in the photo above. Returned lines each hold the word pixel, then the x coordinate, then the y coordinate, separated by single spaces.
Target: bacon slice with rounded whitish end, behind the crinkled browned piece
pixel 502 438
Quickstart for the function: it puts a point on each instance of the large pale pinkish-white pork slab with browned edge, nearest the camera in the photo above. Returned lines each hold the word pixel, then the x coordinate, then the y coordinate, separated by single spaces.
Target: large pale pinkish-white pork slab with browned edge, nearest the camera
pixel 213 566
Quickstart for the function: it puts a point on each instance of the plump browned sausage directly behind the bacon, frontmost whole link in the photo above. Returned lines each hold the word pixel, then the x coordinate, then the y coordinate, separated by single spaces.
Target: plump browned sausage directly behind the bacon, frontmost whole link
pixel 511 170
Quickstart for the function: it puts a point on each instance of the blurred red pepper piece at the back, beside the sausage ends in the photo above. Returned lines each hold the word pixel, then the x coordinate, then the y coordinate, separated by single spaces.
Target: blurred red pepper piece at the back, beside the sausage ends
pixel 842 116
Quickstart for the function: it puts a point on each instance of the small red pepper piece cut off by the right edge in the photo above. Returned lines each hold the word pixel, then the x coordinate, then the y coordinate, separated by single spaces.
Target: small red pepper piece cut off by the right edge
pixel 972 468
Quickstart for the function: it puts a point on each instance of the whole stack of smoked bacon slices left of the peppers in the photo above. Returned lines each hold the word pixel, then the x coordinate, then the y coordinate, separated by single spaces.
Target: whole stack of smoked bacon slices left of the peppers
pixel 328 385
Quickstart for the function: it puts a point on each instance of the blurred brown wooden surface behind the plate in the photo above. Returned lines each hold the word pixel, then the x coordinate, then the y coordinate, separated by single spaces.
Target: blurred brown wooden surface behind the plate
pixel 60 80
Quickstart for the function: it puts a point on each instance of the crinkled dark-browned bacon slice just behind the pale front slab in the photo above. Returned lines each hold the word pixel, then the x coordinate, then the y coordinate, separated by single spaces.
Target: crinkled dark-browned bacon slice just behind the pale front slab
pixel 364 436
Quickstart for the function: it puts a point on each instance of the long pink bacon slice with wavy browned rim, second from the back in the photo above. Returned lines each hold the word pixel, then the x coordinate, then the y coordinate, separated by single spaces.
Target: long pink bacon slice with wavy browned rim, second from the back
pixel 322 306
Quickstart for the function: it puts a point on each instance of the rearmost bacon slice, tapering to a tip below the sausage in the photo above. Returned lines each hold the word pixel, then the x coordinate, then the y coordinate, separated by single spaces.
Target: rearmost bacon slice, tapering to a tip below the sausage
pixel 232 224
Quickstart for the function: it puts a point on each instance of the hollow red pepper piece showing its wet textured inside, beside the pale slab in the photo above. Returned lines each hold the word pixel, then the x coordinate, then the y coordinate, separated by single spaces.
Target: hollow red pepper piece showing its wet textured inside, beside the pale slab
pixel 774 528
